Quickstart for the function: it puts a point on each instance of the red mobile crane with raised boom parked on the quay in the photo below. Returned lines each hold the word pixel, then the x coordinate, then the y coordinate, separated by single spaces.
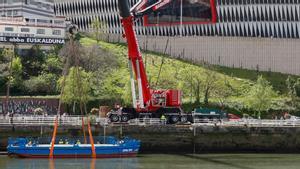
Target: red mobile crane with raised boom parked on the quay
pixel 148 103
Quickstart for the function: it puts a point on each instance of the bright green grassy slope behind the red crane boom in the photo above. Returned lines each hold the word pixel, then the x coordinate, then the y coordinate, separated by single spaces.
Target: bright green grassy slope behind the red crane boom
pixel 239 79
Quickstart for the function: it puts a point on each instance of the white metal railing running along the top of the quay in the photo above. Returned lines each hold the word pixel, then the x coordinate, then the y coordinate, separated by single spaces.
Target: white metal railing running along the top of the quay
pixel 77 121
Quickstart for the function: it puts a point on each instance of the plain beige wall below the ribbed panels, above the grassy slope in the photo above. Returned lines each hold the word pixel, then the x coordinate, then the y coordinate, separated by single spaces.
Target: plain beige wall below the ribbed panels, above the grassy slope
pixel 264 54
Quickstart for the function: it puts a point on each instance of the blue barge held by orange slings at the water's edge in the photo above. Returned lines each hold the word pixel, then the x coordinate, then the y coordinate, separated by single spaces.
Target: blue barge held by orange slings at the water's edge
pixel 112 148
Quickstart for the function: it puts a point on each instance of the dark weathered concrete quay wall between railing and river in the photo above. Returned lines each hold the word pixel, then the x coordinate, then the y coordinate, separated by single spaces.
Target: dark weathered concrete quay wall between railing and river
pixel 186 139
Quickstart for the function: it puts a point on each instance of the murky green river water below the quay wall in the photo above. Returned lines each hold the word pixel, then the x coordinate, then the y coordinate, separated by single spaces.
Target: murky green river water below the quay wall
pixel 162 161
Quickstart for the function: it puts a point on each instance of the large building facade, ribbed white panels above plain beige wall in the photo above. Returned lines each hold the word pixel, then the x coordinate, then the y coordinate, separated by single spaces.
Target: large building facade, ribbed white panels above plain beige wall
pixel 260 35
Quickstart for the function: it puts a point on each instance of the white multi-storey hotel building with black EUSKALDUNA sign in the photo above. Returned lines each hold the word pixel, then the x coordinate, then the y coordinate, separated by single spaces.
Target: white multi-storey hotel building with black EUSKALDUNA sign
pixel 30 22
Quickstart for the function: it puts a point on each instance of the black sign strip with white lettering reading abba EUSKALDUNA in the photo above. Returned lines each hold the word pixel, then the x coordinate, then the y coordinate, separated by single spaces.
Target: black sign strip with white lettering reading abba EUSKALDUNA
pixel 33 40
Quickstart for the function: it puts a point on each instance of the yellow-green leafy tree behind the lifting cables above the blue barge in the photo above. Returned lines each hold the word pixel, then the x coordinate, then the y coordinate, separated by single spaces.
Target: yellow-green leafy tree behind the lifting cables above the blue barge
pixel 77 87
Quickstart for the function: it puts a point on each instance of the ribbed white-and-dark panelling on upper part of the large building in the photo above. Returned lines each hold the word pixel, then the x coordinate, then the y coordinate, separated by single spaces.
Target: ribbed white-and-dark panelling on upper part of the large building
pixel 235 18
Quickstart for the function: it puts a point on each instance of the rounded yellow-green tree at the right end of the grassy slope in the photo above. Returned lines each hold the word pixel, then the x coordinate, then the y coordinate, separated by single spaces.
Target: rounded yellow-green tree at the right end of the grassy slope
pixel 260 96
